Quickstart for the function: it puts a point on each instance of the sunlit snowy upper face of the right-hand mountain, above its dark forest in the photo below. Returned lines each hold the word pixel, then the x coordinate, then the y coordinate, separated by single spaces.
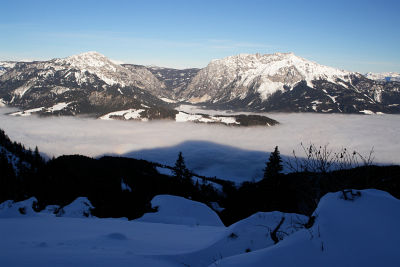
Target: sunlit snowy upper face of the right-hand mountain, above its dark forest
pixel 267 73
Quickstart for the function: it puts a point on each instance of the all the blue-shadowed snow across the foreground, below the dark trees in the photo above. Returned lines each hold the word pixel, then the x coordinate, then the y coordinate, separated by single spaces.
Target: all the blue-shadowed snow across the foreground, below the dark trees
pixel 362 231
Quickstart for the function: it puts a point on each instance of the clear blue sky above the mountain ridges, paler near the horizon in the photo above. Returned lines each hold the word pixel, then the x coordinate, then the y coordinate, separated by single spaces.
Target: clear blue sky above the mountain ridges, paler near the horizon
pixel 354 35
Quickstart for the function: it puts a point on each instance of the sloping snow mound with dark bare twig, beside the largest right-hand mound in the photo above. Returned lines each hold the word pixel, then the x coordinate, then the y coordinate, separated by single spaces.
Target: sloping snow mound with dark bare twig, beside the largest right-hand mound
pixel 247 235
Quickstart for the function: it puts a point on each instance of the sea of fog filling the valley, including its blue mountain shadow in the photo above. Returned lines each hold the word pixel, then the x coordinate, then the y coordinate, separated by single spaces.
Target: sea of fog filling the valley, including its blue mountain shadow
pixel 235 153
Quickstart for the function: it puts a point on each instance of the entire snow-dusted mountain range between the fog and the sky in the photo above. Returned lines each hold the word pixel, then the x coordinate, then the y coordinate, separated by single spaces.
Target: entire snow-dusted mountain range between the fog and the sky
pixel 90 83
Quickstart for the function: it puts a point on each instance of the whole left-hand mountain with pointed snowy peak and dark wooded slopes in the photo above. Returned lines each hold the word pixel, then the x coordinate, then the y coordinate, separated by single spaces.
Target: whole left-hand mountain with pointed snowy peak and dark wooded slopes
pixel 87 83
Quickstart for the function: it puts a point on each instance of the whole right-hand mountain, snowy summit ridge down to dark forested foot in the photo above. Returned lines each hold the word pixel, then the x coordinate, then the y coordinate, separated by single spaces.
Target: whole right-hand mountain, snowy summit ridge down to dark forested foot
pixel 286 82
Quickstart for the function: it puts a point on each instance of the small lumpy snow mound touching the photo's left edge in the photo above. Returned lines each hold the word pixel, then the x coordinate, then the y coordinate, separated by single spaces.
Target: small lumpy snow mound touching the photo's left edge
pixel 10 209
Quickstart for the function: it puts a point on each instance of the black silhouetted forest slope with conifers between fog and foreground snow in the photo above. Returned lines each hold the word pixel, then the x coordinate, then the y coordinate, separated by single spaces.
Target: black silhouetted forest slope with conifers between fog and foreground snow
pixel 60 180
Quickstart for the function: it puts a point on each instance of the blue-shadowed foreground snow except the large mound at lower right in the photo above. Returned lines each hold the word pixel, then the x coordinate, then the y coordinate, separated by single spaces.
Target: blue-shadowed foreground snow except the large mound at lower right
pixel 63 239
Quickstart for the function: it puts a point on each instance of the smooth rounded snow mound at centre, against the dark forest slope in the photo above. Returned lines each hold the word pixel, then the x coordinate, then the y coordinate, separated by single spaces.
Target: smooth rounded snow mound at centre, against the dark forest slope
pixel 181 211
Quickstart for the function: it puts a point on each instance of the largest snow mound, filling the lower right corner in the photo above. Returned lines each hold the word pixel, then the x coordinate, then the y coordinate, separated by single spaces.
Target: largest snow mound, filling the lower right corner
pixel 361 230
